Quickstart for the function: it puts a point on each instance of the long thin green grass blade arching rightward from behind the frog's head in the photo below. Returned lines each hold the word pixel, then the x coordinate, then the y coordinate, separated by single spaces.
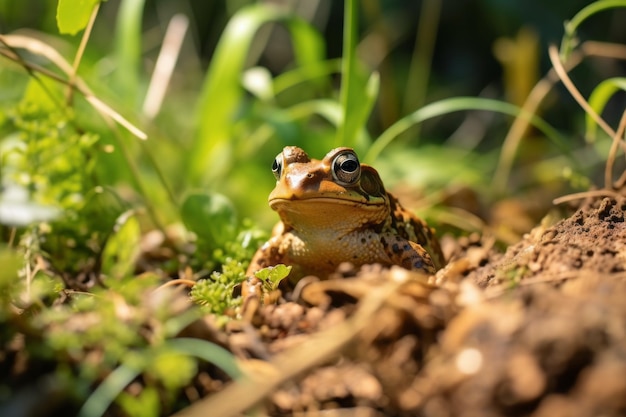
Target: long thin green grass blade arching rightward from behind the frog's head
pixel 455 104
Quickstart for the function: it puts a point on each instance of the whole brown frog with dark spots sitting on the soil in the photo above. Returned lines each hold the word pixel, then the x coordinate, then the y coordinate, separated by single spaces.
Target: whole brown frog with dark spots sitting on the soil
pixel 336 210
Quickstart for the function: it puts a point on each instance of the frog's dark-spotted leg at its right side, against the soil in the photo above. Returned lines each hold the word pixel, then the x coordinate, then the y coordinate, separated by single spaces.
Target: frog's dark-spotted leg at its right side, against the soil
pixel 408 254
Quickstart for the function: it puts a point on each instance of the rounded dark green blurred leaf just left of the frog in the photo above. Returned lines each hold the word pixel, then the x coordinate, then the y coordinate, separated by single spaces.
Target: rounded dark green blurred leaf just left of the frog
pixel 212 217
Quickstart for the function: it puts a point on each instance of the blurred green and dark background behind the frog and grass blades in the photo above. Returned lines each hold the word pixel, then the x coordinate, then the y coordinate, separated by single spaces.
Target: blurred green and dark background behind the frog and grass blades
pixel 424 51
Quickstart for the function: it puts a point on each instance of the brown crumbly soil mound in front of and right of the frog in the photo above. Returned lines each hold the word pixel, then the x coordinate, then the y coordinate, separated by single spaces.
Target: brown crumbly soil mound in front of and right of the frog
pixel 539 330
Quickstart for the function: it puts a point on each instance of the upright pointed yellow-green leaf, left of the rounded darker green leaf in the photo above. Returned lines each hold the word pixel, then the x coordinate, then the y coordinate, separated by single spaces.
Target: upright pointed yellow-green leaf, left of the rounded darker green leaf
pixel 122 248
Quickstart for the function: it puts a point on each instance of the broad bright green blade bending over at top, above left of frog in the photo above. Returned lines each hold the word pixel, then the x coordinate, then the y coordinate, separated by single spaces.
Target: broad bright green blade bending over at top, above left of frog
pixel 222 91
